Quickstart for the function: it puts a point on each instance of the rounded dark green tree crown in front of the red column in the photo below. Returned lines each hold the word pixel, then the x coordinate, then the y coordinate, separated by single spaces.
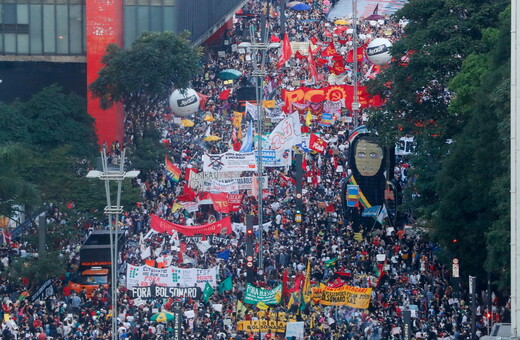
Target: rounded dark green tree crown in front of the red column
pixel 143 76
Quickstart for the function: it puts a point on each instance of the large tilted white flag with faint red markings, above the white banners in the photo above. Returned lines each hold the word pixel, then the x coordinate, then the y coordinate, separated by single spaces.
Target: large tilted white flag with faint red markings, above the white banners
pixel 287 133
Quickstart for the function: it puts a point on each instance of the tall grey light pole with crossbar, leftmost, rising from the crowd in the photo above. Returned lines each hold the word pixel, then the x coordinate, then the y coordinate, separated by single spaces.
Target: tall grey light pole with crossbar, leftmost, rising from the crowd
pixel 113 211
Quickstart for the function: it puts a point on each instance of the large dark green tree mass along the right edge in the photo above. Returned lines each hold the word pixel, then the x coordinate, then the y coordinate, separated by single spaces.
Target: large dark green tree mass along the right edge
pixel 449 88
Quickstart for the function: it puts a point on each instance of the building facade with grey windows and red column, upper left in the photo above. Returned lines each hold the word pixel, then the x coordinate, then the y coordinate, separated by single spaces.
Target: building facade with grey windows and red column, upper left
pixel 61 41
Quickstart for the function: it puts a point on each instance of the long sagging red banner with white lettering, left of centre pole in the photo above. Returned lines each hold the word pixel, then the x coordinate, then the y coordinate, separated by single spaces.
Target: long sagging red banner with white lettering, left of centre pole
pixel 163 226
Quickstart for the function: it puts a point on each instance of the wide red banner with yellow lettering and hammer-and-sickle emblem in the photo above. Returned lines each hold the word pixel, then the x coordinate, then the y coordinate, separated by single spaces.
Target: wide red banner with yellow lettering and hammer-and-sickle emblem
pixel 330 93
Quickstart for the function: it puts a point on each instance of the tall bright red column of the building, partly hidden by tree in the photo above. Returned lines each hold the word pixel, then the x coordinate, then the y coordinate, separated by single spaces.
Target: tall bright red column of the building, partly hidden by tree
pixel 104 26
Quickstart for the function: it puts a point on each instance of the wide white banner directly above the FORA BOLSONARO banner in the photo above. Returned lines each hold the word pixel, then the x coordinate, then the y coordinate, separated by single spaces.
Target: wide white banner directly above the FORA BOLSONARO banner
pixel 143 276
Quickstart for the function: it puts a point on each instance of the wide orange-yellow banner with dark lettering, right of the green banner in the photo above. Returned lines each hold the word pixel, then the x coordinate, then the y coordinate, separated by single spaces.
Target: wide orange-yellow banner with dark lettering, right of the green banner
pixel 354 297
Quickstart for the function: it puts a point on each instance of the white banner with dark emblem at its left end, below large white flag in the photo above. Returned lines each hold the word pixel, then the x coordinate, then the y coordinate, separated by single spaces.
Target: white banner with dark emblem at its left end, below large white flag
pixel 229 161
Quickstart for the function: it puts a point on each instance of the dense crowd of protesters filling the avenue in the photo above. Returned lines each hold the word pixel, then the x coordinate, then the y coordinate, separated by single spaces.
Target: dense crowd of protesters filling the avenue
pixel 412 280
